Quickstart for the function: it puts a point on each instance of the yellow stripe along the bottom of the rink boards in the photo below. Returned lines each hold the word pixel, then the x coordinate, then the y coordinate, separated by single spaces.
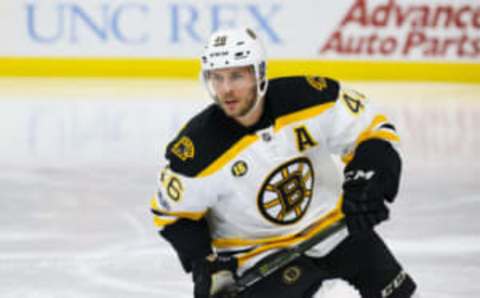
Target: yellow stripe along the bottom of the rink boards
pixel 189 69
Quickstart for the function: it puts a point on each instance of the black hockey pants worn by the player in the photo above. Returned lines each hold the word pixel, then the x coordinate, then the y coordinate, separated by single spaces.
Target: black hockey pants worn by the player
pixel 363 260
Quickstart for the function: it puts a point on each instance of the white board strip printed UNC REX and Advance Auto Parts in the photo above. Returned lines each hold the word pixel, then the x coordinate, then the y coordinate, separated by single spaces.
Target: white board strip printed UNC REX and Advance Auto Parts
pixel 303 29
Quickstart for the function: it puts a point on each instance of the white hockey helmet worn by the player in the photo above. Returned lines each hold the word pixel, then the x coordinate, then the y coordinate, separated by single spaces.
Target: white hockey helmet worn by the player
pixel 235 48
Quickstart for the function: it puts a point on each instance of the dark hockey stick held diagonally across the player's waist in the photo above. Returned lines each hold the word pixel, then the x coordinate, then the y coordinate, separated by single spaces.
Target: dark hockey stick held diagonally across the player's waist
pixel 277 261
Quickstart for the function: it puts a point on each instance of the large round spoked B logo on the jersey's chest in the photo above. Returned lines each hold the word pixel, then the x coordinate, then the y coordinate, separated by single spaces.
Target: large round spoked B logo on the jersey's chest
pixel 286 193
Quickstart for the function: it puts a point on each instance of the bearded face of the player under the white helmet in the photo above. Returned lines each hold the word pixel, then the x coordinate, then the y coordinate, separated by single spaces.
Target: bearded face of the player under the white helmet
pixel 235 89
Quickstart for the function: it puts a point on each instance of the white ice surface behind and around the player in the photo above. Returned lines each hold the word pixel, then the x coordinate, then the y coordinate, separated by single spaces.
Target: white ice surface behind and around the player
pixel 76 223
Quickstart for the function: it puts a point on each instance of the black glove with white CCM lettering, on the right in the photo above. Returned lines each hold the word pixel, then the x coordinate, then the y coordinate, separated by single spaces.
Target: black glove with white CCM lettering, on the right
pixel 371 178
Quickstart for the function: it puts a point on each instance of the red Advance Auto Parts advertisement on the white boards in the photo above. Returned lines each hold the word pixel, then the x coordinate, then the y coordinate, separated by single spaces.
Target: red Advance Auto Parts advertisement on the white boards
pixel 406 29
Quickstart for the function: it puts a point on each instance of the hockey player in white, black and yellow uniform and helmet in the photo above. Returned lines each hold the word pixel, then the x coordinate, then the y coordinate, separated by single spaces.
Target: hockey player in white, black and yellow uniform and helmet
pixel 255 172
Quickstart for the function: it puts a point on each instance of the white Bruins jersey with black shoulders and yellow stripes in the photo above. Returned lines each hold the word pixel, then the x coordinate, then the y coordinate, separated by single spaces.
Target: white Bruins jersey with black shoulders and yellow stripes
pixel 277 183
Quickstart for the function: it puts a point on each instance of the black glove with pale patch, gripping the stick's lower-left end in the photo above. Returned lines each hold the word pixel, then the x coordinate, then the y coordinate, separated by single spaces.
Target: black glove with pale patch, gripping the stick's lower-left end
pixel 213 274
